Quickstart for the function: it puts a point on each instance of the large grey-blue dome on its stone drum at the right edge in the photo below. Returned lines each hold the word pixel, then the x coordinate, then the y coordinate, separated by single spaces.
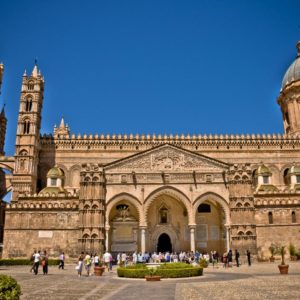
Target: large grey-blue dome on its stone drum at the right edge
pixel 289 98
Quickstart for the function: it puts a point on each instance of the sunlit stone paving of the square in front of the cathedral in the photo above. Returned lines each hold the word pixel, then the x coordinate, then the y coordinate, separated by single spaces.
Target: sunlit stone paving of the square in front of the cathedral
pixel 258 282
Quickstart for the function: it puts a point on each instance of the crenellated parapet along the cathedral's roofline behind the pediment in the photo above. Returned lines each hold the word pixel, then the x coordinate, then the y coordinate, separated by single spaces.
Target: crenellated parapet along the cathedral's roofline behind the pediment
pixel 236 142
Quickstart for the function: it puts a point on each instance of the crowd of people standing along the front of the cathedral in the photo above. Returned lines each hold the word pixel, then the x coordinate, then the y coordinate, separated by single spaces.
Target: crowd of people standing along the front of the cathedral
pixel 86 260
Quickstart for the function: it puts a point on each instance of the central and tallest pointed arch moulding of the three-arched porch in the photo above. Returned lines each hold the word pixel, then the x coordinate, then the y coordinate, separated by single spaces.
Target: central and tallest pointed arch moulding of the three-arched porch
pixel 173 192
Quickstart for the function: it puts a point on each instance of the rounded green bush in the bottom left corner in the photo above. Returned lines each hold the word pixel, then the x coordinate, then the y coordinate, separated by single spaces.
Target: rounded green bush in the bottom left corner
pixel 9 288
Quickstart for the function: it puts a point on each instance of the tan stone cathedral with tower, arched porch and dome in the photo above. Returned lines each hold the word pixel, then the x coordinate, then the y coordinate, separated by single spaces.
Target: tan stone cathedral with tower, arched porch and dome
pixel 152 192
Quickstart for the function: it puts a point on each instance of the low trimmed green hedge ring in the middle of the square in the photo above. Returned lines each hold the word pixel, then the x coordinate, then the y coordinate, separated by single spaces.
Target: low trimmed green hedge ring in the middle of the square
pixel 171 270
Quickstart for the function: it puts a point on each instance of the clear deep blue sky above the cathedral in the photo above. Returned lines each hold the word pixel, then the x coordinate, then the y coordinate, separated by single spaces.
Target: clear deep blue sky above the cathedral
pixel 150 66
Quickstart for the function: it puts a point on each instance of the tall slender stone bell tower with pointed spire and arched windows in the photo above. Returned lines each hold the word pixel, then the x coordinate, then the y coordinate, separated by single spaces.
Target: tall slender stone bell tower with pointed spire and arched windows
pixel 28 133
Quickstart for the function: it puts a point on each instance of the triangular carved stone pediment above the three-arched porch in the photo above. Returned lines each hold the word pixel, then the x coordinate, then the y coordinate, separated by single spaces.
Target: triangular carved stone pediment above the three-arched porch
pixel 166 158
